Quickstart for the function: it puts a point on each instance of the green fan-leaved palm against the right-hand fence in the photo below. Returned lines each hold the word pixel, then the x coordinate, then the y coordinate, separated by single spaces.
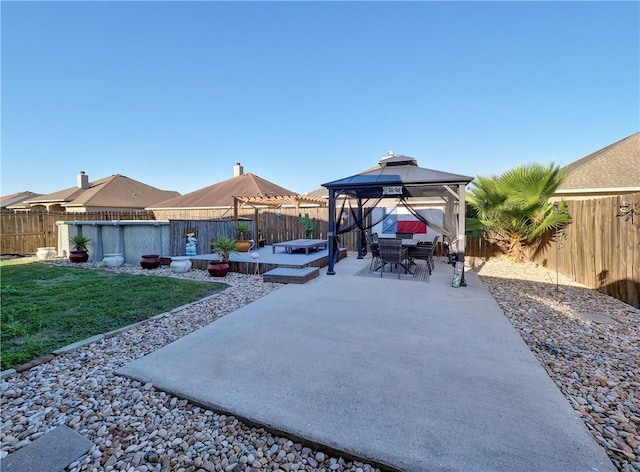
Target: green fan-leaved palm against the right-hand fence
pixel 513 210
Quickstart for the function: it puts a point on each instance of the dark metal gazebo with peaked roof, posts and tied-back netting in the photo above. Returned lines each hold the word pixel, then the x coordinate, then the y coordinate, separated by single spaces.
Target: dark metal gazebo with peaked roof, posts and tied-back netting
pixel 399 177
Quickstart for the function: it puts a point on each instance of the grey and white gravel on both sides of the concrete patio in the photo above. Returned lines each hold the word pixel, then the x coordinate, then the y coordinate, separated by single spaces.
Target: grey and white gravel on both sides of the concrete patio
pixel 587 342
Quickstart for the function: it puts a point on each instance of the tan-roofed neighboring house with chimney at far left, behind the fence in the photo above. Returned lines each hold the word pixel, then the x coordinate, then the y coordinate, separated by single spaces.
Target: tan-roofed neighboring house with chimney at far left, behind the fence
pixel 114 193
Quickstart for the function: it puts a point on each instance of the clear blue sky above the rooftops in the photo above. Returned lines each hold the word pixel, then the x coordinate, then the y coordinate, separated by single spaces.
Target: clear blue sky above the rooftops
pixel 175 93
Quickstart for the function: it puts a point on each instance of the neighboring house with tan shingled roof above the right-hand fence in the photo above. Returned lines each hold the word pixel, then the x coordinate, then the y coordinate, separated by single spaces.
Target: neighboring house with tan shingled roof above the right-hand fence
pixel 612 170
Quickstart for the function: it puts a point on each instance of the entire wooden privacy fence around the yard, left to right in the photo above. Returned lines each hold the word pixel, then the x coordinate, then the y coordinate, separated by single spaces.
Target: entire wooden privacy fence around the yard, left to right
pixel 597 249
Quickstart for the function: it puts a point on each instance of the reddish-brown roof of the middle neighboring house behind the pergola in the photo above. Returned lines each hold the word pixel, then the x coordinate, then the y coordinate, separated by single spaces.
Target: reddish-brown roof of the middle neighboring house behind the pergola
pixel 220 195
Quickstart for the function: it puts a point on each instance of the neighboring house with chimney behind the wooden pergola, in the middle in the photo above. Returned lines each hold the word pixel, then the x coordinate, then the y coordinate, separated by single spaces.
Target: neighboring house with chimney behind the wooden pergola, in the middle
pixel 218 200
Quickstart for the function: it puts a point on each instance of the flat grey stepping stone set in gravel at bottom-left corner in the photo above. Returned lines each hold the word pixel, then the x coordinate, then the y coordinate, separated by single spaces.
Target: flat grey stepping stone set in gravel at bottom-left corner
pixel 51 452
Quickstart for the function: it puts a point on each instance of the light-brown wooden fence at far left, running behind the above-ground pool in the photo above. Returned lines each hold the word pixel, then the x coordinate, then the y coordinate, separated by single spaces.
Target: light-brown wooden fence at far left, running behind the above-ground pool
pixel 24 233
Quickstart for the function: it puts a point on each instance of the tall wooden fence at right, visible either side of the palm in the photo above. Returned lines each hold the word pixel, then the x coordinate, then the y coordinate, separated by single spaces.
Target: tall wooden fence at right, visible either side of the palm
pixel 598 249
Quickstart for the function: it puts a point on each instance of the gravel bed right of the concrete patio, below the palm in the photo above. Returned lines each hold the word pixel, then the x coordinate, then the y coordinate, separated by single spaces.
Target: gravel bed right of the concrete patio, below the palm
pixel 589 344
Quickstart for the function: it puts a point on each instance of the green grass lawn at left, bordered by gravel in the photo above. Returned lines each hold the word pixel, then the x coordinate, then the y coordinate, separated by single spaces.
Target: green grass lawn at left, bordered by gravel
pixel 47 307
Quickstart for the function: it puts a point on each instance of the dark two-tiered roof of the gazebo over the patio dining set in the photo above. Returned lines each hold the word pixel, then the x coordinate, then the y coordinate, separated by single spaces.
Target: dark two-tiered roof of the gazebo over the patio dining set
pixel 397 176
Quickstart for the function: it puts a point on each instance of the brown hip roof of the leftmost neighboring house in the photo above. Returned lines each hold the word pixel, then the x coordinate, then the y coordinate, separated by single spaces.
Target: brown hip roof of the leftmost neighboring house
pixel 115 191
